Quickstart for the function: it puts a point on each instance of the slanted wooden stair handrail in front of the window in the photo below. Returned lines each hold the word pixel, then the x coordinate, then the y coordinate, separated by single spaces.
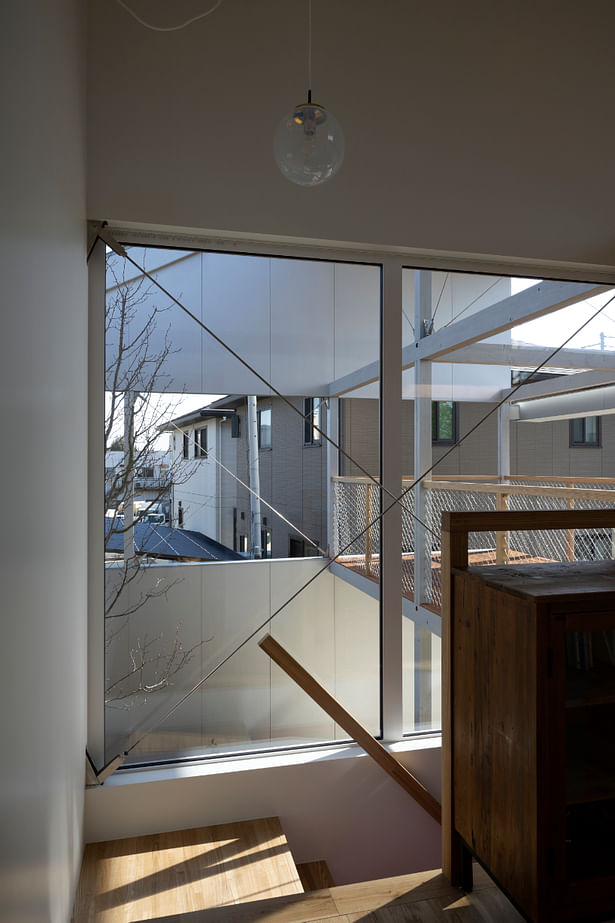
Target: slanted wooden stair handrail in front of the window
pixel 353 728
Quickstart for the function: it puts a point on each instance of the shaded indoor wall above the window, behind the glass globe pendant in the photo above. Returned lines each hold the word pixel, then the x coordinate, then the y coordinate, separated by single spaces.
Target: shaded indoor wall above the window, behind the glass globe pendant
pixel 469 127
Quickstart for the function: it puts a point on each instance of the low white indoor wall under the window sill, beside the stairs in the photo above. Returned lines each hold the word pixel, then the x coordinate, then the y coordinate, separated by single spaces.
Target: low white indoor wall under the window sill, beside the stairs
pixel 344 810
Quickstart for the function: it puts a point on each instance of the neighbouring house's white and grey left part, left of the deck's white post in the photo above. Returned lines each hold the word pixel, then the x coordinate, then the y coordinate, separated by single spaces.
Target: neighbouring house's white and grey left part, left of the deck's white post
pixel 211 493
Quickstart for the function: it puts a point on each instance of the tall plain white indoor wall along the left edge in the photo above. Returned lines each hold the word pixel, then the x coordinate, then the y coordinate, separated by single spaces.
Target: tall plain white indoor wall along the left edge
pixel 43 394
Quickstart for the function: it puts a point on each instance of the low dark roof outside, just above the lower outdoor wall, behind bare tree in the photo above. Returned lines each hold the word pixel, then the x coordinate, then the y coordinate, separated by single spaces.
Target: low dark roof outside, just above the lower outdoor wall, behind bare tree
pixel 172 544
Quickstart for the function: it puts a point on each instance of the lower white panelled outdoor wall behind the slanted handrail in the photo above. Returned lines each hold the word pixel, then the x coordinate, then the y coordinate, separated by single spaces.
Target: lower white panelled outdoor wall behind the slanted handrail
pixel 331 627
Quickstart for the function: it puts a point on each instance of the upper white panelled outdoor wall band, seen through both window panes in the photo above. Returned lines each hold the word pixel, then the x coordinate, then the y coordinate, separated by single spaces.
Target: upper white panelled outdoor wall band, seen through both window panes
pixel 300 324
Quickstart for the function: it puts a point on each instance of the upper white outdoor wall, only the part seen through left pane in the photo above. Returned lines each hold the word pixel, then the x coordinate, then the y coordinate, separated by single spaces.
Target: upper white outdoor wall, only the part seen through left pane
pixel 299 324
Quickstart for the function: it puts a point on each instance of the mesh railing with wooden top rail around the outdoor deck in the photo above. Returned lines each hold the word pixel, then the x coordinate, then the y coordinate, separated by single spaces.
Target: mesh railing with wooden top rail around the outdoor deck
pixel 357 502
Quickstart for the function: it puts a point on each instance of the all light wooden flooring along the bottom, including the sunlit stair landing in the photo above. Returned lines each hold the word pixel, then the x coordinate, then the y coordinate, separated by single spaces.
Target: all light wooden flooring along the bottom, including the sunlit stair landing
pixel 243 873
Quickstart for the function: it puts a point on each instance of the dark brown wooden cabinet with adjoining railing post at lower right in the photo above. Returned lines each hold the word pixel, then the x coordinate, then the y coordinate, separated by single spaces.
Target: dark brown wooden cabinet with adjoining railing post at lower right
pixel 529 726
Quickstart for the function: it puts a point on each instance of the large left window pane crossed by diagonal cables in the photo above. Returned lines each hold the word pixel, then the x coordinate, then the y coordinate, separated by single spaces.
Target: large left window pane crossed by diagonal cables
pixel 232 538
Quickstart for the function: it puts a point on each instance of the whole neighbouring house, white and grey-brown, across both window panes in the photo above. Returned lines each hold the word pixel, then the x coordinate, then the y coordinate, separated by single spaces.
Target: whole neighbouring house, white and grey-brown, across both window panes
pixel 210 448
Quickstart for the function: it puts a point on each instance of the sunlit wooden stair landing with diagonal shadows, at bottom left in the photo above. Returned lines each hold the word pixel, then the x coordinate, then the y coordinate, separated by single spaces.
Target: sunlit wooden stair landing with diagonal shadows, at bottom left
pixel 147 877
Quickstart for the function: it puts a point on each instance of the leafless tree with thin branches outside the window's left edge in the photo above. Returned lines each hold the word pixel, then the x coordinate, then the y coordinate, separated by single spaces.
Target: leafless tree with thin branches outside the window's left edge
pixel 138 403
